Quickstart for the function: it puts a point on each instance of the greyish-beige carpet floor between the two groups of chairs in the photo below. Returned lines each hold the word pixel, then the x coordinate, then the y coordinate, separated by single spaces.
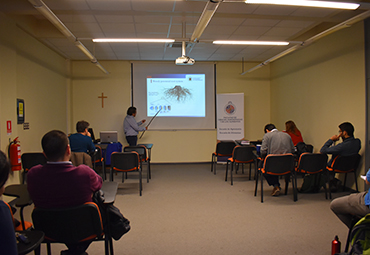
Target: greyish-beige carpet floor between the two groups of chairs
pixel 186 209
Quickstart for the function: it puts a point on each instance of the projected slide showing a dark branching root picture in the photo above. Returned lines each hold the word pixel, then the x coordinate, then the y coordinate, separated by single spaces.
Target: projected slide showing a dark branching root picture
pixel 176 95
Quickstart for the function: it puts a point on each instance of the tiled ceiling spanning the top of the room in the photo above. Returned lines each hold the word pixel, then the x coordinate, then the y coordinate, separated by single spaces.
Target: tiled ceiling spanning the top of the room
pixel 88 19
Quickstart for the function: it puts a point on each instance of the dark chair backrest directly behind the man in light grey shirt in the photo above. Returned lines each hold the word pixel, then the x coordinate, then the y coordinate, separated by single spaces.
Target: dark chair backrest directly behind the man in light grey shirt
pixel 279 164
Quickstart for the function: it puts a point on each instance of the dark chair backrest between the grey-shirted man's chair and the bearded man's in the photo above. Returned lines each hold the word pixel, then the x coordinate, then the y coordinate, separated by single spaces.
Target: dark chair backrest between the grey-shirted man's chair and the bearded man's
pixel 312 163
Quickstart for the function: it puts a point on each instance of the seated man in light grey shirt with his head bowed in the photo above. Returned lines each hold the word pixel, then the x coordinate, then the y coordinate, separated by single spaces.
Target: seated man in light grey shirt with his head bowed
pixel 275 142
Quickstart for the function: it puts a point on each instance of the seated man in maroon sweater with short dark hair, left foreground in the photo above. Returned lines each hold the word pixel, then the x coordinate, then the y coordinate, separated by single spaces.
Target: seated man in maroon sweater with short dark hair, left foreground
pixel 59 184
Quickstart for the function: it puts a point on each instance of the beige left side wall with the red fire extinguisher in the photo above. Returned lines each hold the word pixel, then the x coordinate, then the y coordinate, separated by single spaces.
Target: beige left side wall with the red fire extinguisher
pixel 36 74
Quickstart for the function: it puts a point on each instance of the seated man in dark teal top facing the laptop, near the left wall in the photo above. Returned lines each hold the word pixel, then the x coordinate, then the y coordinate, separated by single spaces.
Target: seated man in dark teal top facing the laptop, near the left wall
pixel 81 141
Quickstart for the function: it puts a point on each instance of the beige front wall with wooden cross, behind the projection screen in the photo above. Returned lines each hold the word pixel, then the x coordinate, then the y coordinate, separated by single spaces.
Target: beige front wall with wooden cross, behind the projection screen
pixel 169 146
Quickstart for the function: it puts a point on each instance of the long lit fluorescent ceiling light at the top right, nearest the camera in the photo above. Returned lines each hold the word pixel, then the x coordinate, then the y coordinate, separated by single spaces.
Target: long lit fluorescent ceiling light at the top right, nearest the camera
pixel 307 3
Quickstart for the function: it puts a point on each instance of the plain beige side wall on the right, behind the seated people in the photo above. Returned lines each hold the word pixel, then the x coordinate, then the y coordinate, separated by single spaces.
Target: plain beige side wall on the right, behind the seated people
pixel 321 86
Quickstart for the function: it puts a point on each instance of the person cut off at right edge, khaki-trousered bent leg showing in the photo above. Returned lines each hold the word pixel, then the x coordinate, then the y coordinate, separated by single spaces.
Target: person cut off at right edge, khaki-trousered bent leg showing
pixel 355 204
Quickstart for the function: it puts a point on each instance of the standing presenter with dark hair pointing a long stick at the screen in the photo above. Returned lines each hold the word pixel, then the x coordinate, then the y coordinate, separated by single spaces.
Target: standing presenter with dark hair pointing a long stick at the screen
pixel 131 127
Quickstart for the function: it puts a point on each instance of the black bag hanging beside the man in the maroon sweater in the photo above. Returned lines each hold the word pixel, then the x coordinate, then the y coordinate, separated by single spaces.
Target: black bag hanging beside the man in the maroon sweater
pixel 117 224
